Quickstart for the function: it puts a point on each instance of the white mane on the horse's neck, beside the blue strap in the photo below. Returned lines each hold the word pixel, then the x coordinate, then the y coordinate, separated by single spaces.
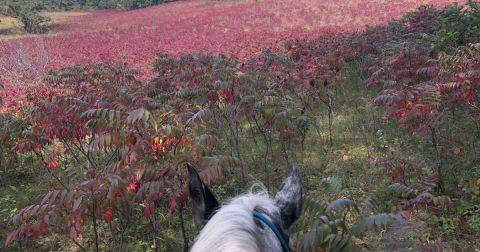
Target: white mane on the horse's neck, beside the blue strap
pixel 233 228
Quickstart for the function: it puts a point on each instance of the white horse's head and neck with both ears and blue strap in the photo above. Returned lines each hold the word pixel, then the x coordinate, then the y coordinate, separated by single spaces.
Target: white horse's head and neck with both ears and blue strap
pixel 253 222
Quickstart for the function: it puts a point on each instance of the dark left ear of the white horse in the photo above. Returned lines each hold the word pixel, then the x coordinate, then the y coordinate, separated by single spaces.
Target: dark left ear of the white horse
pixel 204 202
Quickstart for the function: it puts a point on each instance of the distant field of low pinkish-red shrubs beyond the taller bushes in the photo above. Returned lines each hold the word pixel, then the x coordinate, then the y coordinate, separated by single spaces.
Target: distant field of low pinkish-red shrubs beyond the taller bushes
pixel 240 29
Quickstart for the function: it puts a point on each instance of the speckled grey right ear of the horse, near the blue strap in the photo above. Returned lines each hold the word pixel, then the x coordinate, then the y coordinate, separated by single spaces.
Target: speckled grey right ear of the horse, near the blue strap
pixel 289 197
